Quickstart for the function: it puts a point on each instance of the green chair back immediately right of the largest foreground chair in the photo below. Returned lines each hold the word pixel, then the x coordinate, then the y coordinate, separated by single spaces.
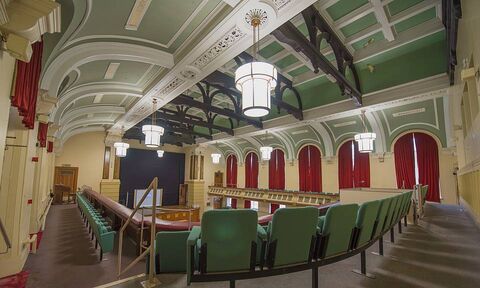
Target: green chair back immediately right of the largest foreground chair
pixel 291 236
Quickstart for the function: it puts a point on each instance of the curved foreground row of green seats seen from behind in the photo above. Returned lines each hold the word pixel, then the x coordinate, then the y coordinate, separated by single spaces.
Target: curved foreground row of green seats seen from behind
pixel 230 244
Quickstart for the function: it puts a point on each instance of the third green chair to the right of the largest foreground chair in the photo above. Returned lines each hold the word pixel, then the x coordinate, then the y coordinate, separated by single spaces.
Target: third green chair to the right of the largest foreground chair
pixel 366 222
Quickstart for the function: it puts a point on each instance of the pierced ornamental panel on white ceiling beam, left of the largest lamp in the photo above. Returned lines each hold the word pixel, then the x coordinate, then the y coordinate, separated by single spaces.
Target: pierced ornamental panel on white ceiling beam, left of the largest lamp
pixel 219 47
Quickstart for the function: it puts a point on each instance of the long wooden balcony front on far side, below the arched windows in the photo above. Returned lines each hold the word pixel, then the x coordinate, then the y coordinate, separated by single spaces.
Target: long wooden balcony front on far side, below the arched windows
pixel 294 198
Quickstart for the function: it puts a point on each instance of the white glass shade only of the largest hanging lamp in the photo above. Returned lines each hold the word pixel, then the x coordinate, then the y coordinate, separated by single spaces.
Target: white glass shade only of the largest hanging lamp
pixel 255 80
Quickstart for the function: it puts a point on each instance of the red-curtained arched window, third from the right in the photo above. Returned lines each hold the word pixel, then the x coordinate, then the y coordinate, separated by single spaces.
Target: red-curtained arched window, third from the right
pixel 310 169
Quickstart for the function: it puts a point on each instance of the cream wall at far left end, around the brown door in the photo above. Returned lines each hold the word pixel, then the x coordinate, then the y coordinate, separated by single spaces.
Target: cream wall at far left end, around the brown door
pixel 85 151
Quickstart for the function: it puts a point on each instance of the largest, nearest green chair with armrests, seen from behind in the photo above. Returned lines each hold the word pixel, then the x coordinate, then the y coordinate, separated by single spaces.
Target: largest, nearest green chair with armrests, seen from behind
pixel 226 242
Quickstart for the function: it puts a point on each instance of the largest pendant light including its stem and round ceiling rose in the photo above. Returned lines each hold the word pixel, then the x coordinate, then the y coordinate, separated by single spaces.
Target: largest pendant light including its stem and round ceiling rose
pixel 256 79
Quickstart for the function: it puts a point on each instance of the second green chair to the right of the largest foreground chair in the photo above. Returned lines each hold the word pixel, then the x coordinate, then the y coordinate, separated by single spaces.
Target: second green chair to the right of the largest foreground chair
pixel 336 230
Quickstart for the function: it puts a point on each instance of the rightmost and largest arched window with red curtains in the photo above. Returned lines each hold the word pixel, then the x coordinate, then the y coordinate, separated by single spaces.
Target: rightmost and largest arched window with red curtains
pixel 416 162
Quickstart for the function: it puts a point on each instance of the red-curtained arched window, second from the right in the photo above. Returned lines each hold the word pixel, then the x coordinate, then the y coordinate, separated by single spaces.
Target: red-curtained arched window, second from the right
pixel 353 166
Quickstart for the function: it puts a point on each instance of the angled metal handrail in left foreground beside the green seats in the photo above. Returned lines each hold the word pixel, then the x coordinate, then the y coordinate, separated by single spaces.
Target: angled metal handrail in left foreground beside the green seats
pixel 151 249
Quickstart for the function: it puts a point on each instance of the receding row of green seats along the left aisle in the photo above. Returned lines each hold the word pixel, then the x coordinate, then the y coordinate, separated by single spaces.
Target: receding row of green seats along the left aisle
pixel 98 226
